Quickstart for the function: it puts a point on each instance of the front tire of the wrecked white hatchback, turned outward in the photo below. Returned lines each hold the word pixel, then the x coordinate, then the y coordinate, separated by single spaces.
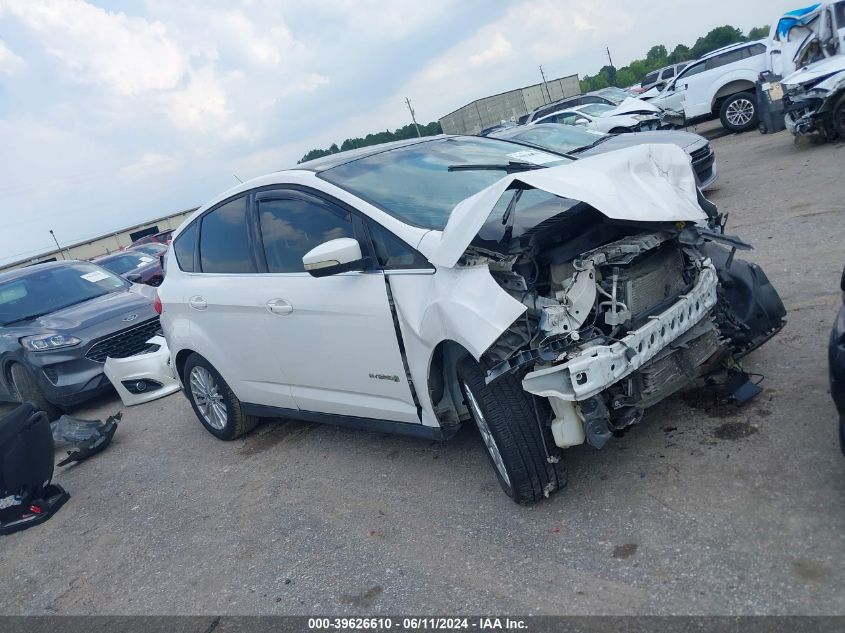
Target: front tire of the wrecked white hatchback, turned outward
pixel 505 416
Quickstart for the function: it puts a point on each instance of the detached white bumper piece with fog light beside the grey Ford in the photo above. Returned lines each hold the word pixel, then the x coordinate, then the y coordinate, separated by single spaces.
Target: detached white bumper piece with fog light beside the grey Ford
pixel 143 377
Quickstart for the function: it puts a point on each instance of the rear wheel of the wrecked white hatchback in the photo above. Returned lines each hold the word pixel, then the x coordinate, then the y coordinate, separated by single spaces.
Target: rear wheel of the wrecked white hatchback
pixel 214 402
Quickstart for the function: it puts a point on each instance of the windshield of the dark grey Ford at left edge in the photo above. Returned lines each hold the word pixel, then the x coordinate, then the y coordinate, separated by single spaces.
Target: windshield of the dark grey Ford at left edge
pixel 44 291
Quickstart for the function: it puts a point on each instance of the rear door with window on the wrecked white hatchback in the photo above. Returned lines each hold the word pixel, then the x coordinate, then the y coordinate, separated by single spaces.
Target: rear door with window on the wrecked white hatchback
pixel 225 305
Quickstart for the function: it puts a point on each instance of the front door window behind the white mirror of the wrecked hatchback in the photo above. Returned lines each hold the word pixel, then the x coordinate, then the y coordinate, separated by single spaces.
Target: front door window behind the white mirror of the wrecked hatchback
pixel 291 227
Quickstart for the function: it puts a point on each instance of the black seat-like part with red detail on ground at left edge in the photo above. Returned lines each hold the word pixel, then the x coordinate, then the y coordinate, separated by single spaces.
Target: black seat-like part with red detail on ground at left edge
pixel 26 469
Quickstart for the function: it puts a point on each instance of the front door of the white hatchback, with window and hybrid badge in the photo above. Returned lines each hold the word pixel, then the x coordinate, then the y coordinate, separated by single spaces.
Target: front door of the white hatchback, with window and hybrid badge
pixel 335 337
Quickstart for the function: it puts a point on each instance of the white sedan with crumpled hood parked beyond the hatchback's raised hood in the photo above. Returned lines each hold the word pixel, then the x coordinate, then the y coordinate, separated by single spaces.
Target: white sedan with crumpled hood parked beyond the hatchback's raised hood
pixel 626 117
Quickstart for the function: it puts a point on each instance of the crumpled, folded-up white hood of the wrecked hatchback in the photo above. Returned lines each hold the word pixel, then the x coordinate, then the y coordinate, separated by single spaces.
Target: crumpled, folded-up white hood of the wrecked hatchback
pixel 646 183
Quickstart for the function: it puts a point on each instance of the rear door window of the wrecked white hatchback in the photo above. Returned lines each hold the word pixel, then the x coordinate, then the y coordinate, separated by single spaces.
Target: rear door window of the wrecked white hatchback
pixel 224 245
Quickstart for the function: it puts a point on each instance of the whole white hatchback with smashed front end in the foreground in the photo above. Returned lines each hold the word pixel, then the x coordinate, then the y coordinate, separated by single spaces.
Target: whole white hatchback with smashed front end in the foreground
pixel 410 287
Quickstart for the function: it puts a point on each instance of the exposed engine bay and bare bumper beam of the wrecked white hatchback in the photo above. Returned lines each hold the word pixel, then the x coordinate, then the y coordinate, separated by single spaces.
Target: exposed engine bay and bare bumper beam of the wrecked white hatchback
pixel 620 315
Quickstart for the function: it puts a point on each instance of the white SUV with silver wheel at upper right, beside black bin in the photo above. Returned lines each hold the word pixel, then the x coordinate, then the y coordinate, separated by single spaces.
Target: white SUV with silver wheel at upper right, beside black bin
pixel 721 83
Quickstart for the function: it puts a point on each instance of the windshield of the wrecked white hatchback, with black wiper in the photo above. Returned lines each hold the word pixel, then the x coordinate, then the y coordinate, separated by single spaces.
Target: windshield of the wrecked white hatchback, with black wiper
pixel 414 183
